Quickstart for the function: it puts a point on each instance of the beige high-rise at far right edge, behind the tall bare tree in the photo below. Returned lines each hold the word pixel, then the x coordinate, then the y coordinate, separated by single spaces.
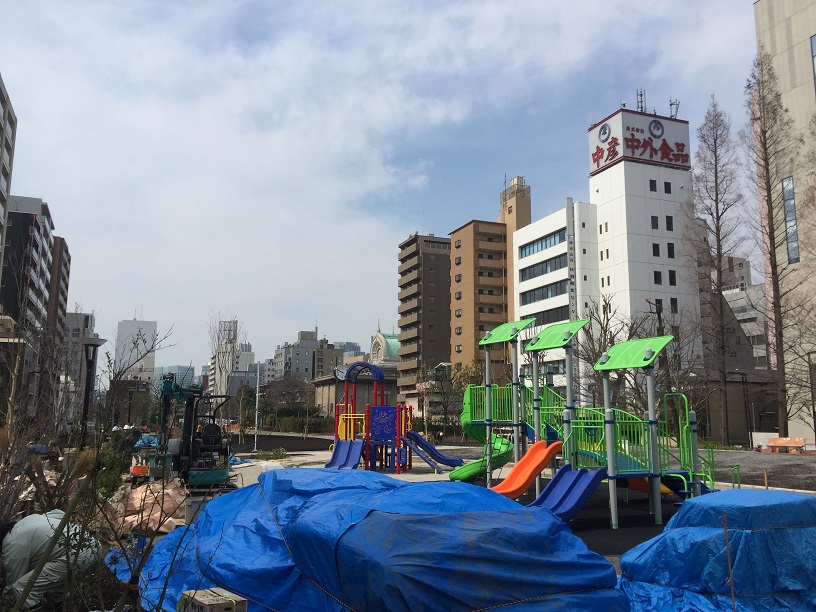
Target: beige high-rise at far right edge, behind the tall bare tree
pixel 787 32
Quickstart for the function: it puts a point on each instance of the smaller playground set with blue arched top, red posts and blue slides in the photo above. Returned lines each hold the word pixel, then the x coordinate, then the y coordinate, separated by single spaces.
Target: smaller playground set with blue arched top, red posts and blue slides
pixel 379 435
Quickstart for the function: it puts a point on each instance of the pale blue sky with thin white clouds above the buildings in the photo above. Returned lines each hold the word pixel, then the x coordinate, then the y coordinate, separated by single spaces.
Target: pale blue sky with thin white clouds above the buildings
pixel 262 160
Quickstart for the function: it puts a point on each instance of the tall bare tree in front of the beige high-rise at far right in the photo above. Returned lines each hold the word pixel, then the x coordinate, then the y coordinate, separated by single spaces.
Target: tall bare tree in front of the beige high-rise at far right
pixel 773 148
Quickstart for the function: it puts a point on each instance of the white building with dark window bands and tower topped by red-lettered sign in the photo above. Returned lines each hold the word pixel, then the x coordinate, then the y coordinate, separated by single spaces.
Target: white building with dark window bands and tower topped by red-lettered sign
pixel 629 244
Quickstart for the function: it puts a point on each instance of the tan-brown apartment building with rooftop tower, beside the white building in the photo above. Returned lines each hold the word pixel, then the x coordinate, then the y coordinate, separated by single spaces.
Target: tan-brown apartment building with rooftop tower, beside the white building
pixel 481 281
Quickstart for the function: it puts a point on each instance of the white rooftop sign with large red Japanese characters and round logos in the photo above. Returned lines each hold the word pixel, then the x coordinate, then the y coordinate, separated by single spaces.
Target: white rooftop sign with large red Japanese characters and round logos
pixel 635 136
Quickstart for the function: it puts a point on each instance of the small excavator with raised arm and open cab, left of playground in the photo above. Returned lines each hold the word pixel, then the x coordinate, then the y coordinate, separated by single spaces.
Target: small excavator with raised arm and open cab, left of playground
pixel 201 455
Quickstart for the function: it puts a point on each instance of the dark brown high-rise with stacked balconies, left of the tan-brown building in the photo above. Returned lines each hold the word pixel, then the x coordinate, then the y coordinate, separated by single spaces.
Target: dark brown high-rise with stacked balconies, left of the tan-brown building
pixel 424 309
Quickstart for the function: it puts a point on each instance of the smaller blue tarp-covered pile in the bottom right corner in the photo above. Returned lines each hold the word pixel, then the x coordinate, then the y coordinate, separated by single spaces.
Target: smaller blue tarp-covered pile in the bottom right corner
pixel 772 538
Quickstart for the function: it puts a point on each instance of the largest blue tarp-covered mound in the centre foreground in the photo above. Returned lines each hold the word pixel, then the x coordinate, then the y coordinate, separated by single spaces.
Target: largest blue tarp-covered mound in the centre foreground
pixel 316 539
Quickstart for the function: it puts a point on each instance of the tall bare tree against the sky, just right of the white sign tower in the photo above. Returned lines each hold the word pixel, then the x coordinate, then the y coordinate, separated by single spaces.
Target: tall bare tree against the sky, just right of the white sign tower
pixel 717 198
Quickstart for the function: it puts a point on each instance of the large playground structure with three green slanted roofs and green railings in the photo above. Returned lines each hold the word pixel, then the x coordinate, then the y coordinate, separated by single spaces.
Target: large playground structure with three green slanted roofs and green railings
pixel 640 448
